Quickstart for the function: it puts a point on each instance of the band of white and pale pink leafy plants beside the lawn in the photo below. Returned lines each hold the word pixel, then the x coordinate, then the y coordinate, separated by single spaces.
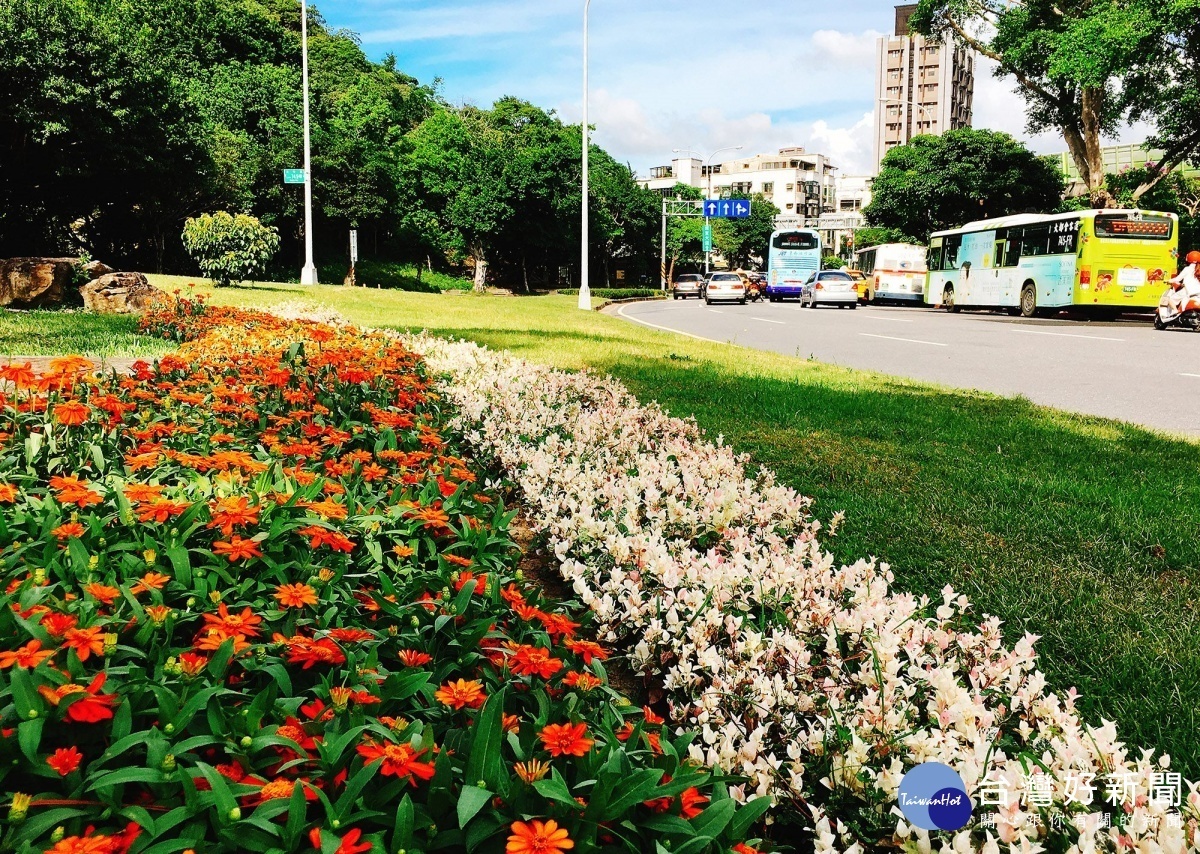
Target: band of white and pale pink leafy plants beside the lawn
pixel 820 683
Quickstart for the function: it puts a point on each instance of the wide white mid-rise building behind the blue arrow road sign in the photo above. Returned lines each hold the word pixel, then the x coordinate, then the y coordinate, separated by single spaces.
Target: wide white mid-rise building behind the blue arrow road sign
pixel 800 184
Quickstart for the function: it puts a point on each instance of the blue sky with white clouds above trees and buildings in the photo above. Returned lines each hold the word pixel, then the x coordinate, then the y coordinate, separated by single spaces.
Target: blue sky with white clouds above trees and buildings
pixel 699 75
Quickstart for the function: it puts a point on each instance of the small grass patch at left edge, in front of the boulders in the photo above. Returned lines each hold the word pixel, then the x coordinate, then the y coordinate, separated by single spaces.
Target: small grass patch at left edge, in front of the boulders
pixel 58 333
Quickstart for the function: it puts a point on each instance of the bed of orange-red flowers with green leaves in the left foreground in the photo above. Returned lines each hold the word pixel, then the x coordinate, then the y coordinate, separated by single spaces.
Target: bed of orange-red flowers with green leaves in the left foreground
pixel 256 599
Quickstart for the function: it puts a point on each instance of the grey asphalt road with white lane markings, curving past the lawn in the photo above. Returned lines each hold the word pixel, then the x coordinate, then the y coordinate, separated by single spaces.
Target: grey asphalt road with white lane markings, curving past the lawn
pixel 1123 369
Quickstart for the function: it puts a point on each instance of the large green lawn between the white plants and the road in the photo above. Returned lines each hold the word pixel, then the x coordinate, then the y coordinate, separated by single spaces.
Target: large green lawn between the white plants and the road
pixel 1079 530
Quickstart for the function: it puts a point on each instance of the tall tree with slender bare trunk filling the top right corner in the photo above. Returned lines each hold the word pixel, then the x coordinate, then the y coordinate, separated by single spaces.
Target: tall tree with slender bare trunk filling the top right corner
pixel 1087 68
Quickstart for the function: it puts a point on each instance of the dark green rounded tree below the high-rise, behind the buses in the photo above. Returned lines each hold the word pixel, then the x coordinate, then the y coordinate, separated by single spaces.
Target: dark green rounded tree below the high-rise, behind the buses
pixel 935 183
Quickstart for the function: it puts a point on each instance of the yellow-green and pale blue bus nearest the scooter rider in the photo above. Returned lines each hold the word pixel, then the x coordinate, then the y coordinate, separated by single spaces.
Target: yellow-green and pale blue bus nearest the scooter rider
pixel 1111 261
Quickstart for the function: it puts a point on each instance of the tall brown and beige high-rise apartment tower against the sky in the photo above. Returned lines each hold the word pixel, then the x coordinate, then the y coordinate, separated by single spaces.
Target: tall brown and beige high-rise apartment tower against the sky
pixel 921 87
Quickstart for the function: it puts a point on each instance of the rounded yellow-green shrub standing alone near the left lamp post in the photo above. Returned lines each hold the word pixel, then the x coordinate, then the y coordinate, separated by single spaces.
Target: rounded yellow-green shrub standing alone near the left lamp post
pixel 230 249
